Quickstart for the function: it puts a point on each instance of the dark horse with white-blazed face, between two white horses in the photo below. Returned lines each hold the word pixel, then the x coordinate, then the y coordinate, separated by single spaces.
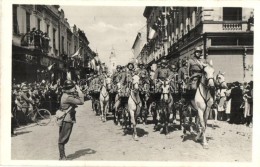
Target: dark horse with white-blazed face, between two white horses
pixel 166 104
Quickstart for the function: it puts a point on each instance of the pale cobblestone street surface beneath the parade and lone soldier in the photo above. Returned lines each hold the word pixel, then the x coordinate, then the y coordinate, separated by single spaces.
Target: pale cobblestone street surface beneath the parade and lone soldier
pixel 91 139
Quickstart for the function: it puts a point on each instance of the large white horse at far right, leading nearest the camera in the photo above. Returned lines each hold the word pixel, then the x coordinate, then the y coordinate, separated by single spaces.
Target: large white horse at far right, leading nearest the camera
pixel 203 101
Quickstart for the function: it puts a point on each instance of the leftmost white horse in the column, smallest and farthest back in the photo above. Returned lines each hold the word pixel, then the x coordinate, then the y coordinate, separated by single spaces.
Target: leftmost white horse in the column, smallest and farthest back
pixel 104 98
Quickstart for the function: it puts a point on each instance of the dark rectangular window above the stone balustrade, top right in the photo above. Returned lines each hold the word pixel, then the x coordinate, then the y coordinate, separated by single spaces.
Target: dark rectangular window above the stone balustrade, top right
pixel 232 14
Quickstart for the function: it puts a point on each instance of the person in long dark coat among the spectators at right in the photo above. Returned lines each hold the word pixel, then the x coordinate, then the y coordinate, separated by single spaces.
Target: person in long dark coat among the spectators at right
pixel 237 98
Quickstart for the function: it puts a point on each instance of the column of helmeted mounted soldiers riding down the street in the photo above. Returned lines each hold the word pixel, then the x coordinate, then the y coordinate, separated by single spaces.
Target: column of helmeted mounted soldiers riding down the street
pixel 170 85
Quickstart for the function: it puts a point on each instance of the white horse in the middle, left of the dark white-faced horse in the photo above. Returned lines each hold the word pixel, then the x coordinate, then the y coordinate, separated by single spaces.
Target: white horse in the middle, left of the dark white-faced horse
pixel 134 103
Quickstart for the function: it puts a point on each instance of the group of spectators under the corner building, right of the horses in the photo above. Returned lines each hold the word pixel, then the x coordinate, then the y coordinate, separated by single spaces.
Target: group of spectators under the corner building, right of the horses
pixel 235 104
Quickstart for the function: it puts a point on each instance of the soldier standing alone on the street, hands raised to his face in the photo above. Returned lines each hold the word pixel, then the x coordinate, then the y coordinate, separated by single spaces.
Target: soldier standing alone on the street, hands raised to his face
pixel 69 100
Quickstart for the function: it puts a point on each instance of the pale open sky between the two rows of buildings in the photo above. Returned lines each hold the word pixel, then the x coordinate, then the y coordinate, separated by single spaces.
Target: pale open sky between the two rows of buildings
pixel 107 27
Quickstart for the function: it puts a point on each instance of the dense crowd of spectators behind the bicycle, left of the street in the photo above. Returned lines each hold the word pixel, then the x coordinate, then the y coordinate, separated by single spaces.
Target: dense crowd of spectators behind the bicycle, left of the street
pixel 25 96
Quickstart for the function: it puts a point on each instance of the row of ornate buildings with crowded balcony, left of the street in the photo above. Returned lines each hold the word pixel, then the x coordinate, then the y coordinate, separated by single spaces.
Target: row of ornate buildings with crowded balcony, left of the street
pixel 42 38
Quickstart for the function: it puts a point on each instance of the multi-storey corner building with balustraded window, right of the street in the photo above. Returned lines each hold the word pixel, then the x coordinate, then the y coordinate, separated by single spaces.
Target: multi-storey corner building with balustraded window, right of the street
pixel 225 34
